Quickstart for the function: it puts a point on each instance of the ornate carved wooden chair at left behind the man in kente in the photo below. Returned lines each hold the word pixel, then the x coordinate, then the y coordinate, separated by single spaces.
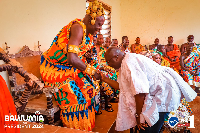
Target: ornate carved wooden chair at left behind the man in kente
pixel 22 67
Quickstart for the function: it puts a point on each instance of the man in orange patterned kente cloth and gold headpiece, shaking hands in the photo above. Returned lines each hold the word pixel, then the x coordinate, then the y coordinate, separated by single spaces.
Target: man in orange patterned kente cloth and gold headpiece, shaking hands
pixel 64 66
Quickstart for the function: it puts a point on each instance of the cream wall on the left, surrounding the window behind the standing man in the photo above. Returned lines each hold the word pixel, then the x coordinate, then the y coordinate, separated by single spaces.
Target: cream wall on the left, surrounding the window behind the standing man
pixel 25 22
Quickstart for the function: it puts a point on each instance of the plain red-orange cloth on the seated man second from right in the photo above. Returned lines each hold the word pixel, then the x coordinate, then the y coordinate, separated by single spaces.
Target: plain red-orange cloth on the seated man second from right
pixel 172 55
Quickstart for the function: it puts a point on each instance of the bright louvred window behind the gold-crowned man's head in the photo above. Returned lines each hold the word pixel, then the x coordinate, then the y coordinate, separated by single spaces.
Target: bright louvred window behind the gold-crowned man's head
pixel 106 27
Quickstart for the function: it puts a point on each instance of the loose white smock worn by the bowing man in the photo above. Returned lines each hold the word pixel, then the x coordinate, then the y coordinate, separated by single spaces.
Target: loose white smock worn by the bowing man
pixel 162 85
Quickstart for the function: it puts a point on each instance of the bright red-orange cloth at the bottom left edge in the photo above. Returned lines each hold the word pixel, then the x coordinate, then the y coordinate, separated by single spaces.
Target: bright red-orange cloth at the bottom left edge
pixel 7 107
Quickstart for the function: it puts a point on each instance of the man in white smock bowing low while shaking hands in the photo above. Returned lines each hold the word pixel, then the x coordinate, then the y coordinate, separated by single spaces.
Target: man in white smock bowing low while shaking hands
pixel 148 91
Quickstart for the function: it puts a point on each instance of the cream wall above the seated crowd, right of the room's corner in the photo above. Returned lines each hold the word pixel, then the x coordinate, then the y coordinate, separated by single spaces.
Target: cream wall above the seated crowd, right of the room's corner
pixel 149 19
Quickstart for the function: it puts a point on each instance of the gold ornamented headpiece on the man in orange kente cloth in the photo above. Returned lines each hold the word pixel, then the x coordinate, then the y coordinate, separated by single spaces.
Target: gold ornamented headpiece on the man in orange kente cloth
pixel 95 9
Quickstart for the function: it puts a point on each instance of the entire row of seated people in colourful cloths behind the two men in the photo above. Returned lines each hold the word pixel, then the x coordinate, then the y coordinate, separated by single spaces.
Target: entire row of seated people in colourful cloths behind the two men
pixel 184 61
